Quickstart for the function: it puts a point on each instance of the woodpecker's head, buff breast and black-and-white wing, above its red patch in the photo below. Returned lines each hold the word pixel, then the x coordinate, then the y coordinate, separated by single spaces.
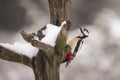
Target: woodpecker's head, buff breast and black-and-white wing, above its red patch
pixel 76 42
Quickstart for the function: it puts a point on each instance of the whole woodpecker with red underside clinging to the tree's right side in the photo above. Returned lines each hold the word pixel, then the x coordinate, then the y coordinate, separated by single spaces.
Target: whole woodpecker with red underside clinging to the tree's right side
pixel 75 43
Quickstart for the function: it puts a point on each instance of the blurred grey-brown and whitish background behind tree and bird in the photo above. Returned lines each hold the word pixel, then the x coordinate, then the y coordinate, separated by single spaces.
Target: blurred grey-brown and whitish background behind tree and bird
pixel 98 59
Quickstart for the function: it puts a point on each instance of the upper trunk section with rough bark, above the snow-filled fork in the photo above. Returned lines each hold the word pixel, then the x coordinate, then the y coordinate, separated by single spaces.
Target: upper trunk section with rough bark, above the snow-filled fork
pixel 58 11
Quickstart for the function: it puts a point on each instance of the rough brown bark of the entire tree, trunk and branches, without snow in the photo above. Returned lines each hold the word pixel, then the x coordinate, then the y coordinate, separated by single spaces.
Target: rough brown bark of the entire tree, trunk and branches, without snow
pixel 47 62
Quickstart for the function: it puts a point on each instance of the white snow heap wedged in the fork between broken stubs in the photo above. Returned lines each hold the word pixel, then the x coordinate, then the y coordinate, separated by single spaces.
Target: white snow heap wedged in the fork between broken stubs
pixel 51 32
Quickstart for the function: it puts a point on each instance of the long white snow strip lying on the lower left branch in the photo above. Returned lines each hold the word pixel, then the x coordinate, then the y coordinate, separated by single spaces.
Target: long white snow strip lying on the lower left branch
pixel 21 48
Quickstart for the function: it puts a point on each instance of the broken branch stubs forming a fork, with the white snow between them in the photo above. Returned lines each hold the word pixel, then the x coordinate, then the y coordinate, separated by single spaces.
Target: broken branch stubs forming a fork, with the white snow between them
pixel 52 37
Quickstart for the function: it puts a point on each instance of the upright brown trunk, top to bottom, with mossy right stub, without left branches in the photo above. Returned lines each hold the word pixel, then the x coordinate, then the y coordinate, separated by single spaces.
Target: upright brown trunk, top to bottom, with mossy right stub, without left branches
pixel 46 64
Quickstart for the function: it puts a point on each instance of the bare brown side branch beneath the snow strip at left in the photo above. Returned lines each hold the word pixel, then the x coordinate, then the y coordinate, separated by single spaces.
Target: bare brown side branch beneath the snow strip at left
pixel 10 55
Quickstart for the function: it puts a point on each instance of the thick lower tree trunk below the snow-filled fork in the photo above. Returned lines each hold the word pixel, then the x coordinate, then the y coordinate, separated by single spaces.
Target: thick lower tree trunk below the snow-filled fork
pixel 43 69
